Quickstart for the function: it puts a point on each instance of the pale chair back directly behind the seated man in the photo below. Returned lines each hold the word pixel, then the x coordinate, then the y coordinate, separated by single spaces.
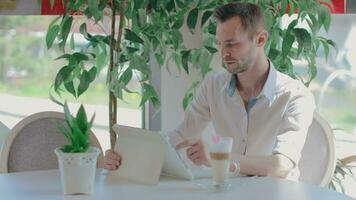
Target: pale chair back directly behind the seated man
pixel 317 163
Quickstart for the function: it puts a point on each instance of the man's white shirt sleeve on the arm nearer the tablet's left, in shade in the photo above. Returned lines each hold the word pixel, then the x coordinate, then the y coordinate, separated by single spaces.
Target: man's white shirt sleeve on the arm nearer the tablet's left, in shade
pixel 197 114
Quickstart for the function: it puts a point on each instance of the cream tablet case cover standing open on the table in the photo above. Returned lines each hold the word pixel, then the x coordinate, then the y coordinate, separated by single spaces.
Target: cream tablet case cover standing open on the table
pixel 142 153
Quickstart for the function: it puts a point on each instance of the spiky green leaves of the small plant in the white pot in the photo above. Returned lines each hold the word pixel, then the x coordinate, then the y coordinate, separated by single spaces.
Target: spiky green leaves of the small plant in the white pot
pixel 78 133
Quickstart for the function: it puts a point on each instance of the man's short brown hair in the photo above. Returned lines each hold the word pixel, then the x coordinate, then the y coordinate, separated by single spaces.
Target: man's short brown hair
pixel 250 14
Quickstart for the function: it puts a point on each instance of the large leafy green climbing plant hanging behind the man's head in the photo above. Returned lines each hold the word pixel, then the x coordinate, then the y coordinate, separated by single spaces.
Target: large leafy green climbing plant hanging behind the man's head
pixel 152 29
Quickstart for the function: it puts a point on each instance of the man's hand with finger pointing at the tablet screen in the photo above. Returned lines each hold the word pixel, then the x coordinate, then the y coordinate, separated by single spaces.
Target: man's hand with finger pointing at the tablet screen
pixel 197 151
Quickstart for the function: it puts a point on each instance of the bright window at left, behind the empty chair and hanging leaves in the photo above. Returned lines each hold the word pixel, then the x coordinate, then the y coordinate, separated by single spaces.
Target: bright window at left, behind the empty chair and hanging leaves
pixel 28 69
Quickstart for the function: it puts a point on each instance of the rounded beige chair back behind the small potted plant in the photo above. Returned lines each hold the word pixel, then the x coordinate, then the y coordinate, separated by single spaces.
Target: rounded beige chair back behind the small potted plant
pixel 31 143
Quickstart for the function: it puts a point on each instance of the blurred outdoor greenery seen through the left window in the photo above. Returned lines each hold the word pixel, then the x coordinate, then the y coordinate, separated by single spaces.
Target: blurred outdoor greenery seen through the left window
pixel 27 67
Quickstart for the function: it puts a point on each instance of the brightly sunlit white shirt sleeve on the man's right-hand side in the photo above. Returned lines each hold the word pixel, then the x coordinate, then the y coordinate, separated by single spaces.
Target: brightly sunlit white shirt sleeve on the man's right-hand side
pixel 294 126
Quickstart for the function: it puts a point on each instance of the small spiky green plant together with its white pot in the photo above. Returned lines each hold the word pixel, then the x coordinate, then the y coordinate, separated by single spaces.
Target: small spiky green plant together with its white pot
pixel 77 159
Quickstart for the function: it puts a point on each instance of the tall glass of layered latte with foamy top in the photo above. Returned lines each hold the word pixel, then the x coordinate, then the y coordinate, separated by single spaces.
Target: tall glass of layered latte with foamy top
pixel 220 155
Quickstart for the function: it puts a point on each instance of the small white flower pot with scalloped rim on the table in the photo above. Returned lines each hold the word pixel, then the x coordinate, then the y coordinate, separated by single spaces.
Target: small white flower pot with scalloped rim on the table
pixel 77 170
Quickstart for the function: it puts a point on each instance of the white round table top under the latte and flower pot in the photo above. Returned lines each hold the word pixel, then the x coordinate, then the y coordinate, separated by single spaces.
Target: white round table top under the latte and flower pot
pixel 38 185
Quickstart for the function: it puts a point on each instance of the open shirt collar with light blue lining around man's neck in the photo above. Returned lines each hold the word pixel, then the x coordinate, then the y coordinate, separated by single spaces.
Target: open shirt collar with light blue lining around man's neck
pixel 269 88
